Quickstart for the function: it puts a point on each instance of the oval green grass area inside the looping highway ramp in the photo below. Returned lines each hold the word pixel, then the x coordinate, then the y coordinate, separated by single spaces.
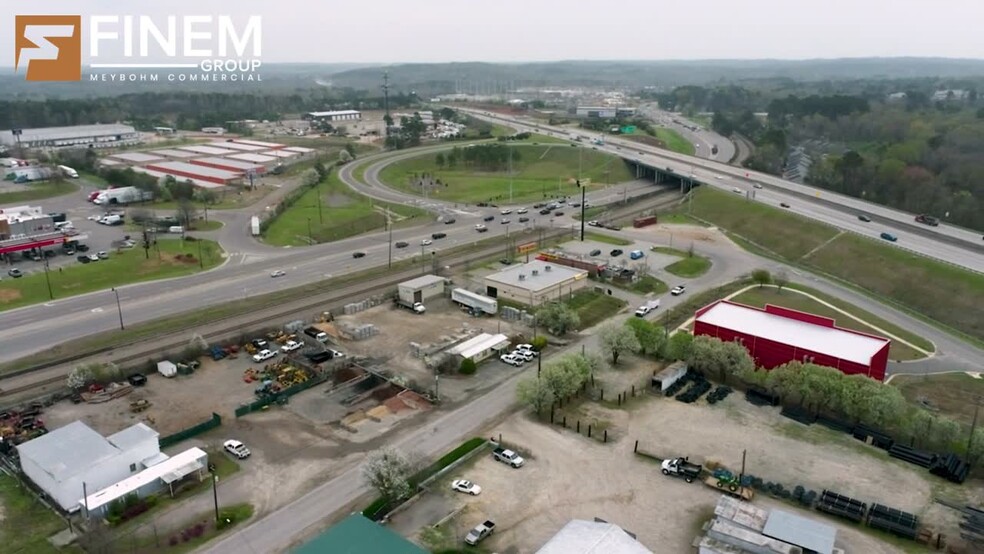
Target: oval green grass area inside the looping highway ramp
pixel 540 172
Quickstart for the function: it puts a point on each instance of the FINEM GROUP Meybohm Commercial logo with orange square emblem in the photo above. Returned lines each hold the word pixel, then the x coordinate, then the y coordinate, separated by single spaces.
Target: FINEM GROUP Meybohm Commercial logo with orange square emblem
pixel 193 47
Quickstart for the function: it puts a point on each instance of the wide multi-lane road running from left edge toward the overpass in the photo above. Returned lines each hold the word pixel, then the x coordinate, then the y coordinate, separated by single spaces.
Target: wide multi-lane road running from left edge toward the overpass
pixel 34 328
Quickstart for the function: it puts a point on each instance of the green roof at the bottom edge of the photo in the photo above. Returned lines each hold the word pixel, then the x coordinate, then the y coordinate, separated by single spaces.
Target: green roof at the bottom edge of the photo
pixel 357 534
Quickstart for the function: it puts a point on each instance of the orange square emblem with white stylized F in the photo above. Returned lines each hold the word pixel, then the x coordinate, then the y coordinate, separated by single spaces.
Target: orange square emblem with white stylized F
pixel 50 46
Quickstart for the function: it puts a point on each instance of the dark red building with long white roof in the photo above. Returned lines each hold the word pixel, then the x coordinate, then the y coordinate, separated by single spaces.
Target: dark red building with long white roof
pixel 776 335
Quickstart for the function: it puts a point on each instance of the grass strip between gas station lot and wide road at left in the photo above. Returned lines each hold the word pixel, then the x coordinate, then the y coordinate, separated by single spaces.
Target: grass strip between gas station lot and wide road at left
pixel 122 268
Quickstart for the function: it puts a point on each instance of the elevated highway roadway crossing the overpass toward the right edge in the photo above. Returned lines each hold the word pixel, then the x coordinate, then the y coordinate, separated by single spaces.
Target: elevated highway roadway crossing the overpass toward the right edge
pixel 682 164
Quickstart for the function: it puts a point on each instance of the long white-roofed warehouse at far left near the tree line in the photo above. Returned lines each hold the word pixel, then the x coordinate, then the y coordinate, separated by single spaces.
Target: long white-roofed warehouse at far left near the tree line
pixel 79 136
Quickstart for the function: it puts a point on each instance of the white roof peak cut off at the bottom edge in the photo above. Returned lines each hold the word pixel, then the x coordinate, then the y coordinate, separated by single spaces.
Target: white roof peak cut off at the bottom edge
pixel 580 536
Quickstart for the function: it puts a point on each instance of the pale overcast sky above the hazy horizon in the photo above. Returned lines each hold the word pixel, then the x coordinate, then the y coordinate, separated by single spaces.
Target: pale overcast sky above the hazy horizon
pixel 393 31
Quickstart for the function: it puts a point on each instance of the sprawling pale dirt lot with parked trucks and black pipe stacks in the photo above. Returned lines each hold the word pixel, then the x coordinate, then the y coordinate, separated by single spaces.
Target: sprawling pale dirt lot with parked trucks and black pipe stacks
pixel 570 476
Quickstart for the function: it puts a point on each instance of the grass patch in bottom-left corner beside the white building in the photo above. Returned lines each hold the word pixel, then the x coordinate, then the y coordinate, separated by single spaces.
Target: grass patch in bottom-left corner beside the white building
pixel 26 523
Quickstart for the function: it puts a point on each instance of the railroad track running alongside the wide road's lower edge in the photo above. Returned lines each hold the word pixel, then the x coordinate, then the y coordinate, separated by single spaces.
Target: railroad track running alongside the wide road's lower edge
pixel 232 326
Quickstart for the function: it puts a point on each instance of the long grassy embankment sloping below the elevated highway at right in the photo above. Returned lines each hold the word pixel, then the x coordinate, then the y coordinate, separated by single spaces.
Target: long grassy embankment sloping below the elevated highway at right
pixel 927 288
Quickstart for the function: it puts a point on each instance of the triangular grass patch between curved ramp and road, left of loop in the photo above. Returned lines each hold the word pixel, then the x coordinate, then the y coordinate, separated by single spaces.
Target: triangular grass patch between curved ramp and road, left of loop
pixel 344 213
